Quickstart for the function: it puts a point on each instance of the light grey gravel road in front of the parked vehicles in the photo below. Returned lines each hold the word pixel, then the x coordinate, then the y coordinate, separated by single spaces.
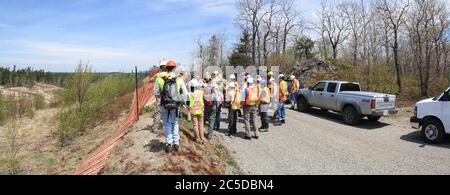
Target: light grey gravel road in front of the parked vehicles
pixel 319 143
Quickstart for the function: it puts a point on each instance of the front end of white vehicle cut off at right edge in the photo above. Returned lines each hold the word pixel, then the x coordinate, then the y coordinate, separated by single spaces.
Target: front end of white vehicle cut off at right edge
pixel 433 115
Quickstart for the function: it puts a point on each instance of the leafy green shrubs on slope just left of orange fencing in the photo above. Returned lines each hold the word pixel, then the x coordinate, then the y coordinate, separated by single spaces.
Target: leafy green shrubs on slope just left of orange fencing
pixel 97 105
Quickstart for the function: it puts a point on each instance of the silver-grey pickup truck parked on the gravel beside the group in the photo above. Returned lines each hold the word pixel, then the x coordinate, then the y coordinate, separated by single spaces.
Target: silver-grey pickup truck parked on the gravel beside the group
pixel 348 99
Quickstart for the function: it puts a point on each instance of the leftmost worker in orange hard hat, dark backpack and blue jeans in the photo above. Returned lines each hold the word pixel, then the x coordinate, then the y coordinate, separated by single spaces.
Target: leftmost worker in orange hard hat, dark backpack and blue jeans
pixel 169 91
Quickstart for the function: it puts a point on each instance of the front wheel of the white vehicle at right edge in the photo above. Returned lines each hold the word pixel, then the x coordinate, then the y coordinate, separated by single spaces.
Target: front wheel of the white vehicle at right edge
pixel 433 132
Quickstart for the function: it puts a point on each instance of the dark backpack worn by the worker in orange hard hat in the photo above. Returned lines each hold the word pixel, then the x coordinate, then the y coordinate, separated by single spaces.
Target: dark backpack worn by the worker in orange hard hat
pixel 170 98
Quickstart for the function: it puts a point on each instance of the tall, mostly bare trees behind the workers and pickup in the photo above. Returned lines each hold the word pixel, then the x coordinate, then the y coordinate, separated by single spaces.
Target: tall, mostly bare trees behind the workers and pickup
pixel 395 46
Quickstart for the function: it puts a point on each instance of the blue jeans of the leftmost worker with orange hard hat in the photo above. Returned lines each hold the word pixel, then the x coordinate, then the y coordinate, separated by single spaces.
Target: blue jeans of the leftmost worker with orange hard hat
pixel 171 128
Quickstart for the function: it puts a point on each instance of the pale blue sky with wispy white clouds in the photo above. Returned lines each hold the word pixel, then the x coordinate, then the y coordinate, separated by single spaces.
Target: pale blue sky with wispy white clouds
pixel 114 35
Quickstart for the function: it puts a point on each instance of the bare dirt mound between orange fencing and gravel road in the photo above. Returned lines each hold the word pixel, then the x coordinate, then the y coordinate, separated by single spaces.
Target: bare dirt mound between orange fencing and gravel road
pixel 141 152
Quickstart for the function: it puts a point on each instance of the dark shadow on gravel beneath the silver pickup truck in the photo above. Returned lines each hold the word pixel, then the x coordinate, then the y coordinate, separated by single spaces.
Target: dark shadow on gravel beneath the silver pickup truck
pixel 337 118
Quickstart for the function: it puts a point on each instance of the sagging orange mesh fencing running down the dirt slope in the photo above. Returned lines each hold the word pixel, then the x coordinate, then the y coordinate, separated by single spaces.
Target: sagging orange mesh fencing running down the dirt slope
pixel 95 164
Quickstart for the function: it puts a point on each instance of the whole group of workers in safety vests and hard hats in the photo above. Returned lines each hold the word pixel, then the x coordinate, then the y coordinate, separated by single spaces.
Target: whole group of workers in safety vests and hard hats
pixel 204 100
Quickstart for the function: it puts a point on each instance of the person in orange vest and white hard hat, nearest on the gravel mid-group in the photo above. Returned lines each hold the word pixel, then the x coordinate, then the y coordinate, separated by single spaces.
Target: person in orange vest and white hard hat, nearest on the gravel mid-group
pixel 250 96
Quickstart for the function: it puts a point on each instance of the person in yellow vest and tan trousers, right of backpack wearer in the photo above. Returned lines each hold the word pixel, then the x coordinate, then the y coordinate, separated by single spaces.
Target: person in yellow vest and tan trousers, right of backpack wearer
pixel 197 106
